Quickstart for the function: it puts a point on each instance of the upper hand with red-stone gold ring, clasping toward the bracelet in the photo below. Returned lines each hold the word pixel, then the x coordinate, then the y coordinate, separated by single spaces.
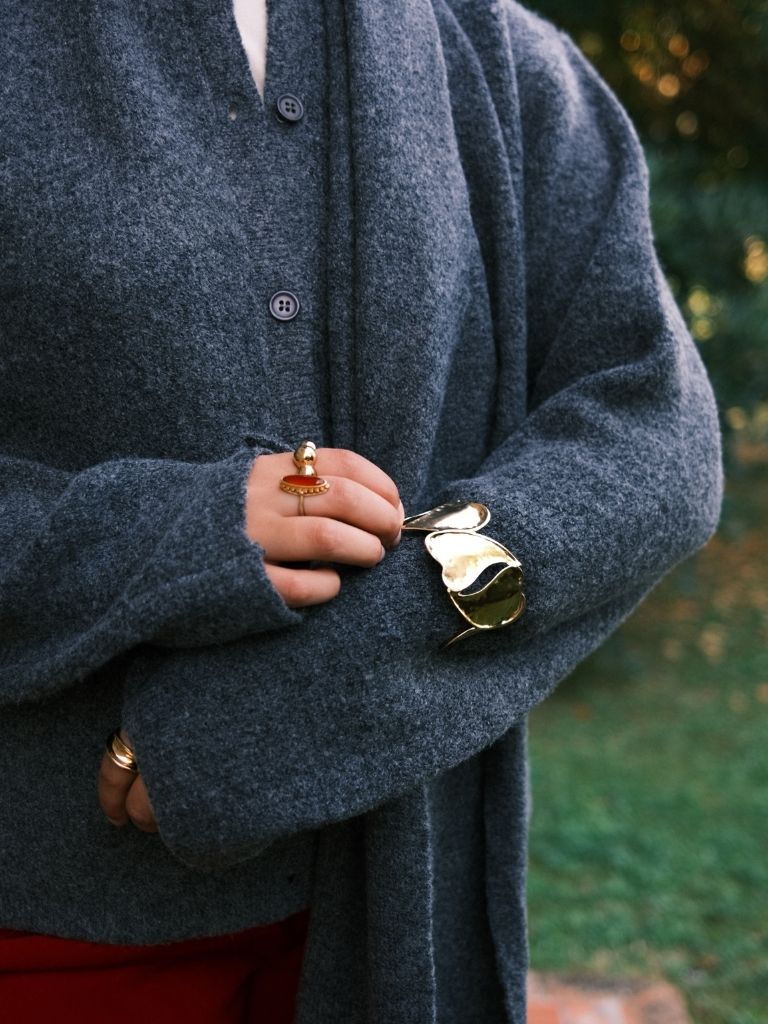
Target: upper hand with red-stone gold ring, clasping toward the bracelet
pixel 353 524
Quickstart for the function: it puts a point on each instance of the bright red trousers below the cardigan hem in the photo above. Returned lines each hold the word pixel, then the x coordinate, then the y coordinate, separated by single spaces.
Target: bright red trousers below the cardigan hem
pixel 248 978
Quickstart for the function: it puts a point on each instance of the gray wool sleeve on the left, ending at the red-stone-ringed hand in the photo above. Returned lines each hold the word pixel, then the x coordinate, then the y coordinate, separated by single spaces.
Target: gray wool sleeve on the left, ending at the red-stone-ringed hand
pixel 124 552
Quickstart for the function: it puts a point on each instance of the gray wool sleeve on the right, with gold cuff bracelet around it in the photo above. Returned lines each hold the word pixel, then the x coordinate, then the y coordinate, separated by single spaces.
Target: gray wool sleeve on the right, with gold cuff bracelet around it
pixel 614 478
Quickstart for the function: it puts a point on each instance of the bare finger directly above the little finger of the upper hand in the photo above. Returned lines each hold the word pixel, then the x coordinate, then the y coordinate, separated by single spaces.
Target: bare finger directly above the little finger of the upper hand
pixel 307 539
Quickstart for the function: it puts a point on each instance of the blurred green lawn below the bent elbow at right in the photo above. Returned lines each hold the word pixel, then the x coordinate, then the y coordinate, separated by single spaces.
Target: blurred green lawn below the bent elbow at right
pixel 650 841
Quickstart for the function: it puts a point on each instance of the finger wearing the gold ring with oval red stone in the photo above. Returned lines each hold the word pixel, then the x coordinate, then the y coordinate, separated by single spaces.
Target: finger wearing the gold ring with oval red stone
pixel 353 503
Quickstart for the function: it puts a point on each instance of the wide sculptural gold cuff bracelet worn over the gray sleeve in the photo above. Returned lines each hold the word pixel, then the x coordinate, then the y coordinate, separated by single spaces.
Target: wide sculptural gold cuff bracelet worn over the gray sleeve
pixel 453 540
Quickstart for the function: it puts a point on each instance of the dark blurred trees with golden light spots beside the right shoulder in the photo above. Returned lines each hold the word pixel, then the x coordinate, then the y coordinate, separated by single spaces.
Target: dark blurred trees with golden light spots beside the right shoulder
pixel 695 79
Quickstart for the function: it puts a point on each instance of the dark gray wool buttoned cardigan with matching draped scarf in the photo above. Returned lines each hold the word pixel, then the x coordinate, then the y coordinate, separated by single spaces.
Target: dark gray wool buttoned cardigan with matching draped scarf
pixel 464 215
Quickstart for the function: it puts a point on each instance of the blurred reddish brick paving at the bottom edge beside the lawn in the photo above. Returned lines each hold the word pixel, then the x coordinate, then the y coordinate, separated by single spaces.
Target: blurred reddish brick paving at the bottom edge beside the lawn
pixel 554 1000
